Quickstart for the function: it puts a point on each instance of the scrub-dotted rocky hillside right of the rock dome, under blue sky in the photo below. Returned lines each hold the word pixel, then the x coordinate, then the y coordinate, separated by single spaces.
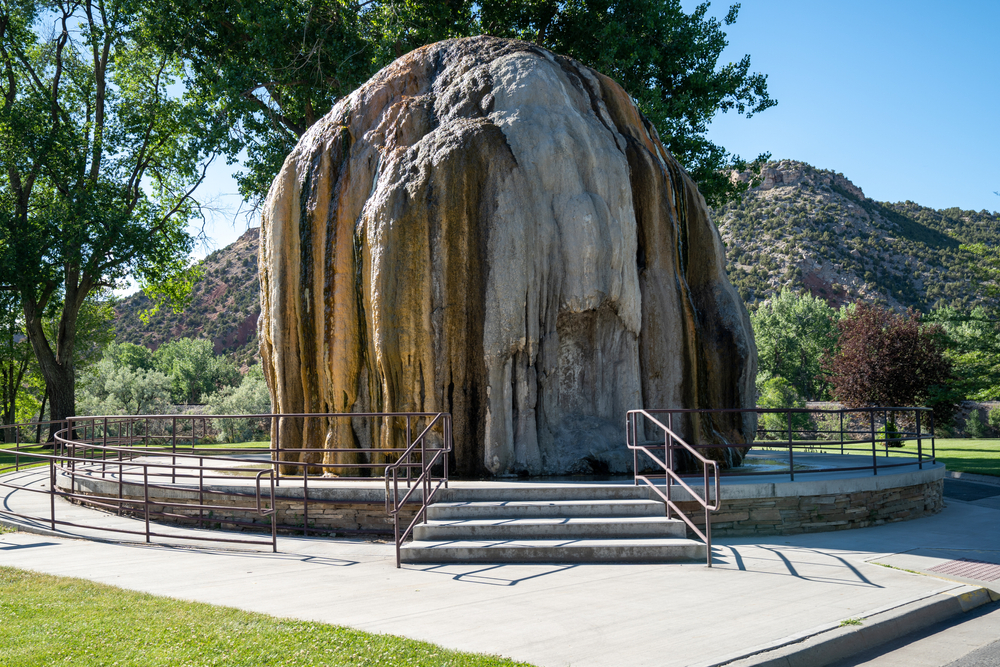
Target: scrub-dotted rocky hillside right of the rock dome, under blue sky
pixel 809 228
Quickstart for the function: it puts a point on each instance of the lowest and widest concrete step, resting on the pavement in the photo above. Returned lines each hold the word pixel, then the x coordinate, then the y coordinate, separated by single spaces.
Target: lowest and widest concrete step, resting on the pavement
pixel 648 550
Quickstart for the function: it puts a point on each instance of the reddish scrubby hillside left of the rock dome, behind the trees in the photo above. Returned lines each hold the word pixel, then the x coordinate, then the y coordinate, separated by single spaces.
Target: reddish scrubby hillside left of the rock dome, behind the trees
pixel 224 307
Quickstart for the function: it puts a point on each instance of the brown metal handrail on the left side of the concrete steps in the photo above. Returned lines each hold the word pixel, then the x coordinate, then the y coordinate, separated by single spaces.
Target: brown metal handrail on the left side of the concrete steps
pixel 424 481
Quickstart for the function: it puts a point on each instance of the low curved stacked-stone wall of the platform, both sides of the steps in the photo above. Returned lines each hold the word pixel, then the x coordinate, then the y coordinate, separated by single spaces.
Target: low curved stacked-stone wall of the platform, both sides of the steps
pixel 772 508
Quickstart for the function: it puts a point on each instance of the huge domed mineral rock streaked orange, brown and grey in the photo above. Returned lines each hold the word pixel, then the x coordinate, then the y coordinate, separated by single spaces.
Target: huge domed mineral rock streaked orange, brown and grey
pixel 492 230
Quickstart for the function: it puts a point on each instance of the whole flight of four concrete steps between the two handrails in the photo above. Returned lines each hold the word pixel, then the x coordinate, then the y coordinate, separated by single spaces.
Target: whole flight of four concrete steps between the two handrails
pixel 559 524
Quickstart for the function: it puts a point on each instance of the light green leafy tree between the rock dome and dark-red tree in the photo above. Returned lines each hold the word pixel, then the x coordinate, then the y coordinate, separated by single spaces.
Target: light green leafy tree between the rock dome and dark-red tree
pixel 793 332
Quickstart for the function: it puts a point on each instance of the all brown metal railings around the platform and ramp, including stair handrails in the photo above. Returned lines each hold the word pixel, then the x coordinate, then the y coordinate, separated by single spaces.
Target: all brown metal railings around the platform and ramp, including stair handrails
pixel 143 455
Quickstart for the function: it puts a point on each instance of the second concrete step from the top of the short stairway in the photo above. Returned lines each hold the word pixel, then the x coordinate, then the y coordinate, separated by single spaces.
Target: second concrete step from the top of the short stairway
pixel 519 509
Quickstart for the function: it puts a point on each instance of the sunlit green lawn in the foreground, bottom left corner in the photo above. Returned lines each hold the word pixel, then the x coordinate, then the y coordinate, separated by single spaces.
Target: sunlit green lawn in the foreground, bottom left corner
pixel 47 620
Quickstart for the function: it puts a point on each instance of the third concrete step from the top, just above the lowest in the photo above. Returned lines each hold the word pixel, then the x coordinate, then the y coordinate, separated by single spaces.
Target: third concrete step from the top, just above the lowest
pixel 562 528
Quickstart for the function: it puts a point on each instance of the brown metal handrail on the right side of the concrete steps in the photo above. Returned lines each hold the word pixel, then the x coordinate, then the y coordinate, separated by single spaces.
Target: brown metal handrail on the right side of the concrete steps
pixel 669 438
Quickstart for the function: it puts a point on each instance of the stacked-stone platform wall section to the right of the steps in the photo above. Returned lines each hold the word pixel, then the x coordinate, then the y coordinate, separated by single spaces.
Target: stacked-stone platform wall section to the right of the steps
pixel 789 515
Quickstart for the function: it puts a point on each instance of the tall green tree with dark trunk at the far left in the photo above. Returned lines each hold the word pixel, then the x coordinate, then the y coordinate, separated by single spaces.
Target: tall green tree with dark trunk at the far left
pixel 98 163
